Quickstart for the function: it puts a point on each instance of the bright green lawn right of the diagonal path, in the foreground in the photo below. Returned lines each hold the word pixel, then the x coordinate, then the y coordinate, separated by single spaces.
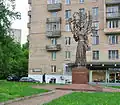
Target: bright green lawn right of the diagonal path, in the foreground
pixel 82 98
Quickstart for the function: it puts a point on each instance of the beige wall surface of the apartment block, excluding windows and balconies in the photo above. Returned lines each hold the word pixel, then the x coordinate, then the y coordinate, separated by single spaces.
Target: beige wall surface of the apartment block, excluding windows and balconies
pixel 40 59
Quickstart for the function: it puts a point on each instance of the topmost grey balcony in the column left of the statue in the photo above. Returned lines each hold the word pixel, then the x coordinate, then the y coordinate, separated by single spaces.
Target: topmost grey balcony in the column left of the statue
pixel 54 7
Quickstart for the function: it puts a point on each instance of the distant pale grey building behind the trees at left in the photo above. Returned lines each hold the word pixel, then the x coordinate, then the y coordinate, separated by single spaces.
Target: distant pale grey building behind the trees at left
pixel 16 35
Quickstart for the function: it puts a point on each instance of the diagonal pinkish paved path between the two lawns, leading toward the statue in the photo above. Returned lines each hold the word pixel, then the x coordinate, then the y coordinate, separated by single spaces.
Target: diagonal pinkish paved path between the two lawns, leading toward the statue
pixel 41 99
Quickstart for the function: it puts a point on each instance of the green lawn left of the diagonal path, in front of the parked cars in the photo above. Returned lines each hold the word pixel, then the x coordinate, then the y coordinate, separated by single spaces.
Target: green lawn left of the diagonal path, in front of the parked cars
pixel 11 90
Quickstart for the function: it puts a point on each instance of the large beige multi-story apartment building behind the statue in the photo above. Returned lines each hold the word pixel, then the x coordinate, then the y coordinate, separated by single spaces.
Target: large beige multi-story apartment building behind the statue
pixel 53 49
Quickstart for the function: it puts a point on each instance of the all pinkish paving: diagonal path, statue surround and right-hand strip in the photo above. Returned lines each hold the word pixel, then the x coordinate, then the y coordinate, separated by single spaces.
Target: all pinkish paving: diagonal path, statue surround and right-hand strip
pixel 40 100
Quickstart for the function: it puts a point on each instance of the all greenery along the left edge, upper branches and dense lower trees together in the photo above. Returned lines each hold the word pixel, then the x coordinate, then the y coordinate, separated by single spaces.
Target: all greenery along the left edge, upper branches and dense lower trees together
pixel 13 58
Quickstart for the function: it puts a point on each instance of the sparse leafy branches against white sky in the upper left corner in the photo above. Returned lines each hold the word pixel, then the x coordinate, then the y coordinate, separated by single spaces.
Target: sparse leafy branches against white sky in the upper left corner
pixel 7 15
